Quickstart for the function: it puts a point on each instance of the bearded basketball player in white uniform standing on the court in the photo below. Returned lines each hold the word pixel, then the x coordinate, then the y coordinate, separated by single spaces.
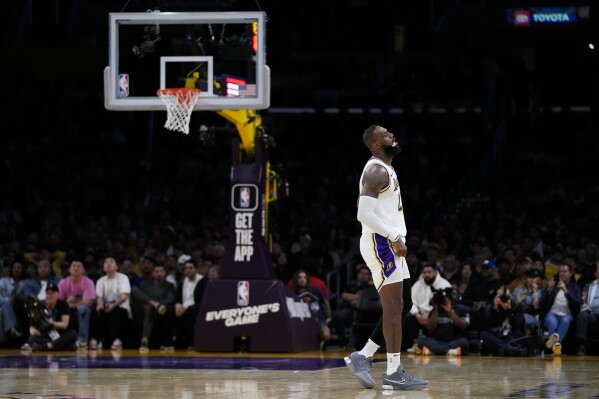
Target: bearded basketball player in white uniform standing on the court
pixel 383 248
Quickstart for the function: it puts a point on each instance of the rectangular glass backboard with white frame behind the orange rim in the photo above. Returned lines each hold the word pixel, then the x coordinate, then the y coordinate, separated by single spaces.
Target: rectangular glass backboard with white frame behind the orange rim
pixel 221 53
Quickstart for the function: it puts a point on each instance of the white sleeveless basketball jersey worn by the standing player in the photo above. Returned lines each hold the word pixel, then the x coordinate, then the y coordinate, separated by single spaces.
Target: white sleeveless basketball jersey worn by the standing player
pixel 389 205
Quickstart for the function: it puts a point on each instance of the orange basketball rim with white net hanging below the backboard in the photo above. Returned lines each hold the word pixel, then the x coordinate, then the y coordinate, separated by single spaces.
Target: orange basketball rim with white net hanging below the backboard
pixel 179 104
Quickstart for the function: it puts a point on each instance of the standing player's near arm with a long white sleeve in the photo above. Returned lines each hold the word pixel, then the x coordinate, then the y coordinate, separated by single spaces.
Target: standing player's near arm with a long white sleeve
pixel 375 179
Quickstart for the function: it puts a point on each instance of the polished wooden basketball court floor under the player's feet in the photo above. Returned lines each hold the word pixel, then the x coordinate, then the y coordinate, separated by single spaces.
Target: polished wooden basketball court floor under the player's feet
pixel 182 374
